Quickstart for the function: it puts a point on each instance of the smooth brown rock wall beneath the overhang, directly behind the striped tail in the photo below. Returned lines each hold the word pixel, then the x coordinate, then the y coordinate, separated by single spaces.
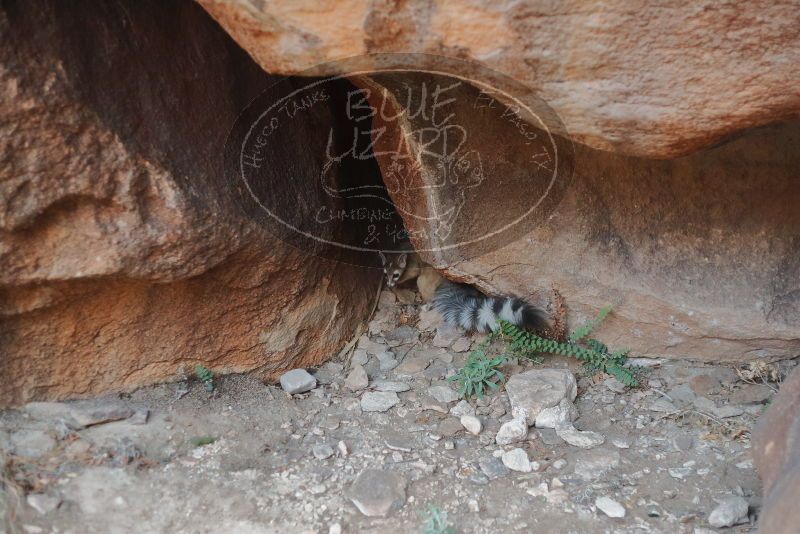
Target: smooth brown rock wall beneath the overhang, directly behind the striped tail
pixel 700 254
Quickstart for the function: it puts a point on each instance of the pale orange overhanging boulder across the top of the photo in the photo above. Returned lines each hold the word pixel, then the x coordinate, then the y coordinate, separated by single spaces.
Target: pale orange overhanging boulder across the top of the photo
pixel 650 79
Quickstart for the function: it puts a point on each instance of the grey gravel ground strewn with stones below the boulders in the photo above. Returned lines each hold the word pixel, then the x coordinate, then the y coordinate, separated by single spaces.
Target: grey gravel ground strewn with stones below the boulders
pixel 381 437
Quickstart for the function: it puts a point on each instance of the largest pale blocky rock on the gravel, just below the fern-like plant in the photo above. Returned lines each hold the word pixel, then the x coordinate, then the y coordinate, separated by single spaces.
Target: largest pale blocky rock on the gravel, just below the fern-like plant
pixel 533 391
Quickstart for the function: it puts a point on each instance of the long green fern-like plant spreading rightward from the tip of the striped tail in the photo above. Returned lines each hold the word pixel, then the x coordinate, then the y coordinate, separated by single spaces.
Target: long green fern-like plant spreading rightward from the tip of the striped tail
pixel 592 352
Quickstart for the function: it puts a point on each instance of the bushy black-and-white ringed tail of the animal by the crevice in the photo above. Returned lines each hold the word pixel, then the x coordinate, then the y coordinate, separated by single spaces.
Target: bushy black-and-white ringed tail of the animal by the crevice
pixel 465 307
